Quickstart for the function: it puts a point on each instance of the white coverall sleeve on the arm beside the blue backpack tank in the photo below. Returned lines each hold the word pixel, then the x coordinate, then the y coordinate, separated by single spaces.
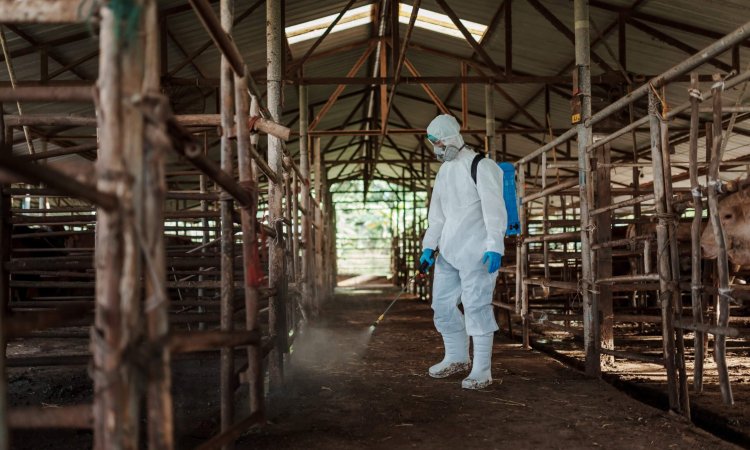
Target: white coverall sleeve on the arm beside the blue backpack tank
pixel 490 189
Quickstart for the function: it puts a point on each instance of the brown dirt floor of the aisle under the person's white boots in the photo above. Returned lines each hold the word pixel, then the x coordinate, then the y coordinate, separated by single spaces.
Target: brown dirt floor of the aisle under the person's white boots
pixel 349 389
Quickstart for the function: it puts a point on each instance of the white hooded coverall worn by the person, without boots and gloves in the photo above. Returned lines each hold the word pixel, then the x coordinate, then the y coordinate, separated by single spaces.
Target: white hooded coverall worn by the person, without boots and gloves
pixel 465 220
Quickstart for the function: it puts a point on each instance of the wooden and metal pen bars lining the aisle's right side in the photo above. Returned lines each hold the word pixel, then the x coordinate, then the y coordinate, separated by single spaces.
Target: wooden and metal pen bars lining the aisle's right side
pixel 586 245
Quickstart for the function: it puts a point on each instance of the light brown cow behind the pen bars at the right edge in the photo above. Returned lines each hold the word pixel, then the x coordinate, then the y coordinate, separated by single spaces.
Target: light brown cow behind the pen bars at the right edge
pixel 734 214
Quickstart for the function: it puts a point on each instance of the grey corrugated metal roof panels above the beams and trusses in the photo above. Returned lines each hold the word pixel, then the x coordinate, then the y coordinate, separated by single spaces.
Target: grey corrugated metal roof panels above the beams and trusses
pixel 538 48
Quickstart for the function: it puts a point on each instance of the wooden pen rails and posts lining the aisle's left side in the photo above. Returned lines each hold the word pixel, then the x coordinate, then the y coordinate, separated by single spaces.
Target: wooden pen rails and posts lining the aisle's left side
pixel 153 289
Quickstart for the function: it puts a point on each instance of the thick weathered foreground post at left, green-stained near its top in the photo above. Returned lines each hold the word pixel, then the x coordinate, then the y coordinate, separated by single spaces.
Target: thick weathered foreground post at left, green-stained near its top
pixel 118 288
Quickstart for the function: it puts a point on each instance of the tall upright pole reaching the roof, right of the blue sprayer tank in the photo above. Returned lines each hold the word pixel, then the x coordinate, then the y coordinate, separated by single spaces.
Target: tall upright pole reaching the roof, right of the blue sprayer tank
pixel 590 309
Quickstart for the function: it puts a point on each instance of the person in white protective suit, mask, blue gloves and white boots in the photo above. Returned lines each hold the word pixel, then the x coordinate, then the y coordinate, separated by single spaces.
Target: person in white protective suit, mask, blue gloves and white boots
pixel 467 223
